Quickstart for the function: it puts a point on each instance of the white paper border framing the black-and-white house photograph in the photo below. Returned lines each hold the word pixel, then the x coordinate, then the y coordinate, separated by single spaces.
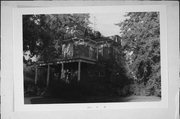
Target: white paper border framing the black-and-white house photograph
pixel 18 60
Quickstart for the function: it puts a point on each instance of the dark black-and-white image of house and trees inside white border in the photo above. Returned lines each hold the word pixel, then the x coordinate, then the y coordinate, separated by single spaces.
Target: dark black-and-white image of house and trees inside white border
pixel 91 57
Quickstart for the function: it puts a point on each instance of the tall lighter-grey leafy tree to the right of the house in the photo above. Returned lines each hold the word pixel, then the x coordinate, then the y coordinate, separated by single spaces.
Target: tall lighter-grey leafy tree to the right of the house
pixel 140 34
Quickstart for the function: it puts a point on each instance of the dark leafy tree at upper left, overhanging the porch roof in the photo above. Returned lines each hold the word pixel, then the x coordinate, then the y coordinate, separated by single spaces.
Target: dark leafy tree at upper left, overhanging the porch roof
pixel 43 34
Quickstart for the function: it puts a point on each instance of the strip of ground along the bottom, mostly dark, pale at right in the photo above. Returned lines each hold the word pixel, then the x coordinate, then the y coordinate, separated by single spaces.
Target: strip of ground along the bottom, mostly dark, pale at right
pixel 49 100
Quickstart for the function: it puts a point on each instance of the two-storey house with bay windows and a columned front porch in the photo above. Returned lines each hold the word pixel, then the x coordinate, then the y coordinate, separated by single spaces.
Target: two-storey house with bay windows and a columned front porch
pixel 78 60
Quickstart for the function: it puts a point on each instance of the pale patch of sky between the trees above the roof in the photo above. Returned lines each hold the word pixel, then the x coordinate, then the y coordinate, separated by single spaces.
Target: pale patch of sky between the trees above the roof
pixel 105 22
